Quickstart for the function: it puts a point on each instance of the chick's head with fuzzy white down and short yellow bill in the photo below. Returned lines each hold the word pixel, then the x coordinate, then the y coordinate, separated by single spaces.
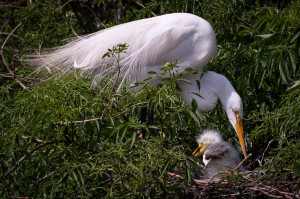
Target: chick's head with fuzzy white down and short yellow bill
pixel 208 137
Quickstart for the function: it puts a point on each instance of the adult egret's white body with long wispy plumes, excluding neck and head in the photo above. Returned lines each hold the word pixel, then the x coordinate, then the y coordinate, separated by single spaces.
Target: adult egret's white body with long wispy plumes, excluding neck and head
pixel 152 42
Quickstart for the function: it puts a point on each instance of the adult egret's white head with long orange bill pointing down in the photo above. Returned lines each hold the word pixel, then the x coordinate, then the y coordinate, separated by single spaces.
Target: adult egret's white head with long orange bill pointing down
pixel 234 110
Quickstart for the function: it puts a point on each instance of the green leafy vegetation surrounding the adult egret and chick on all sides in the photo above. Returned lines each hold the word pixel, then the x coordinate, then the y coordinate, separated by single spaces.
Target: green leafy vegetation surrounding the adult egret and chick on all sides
pixel 62 138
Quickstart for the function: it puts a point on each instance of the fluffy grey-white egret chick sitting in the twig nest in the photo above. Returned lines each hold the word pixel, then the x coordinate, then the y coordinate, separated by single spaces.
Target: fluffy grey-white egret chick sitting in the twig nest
pixel 217 154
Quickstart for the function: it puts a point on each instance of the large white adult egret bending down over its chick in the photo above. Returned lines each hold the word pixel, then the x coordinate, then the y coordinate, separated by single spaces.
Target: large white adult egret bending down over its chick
pixel 182 37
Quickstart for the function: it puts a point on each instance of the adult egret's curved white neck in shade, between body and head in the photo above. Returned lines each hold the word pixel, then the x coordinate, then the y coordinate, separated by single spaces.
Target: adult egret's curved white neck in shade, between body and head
pixel 212 87
